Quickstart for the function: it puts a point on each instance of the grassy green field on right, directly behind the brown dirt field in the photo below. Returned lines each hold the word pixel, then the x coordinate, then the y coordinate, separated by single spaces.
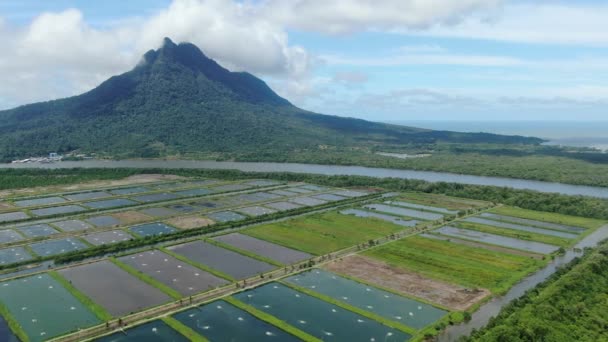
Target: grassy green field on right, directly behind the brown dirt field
pixel 467 266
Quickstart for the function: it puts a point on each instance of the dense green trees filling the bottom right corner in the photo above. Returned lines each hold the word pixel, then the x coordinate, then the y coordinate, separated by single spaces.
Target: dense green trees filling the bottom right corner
pixel 569 306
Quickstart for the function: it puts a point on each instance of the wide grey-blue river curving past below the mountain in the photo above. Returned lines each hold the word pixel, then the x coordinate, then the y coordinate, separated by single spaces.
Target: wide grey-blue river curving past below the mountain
pixel 429 176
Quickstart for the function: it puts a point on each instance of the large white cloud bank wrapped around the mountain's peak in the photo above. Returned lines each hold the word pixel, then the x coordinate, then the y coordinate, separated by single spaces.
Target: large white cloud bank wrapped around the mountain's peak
pixel 59 54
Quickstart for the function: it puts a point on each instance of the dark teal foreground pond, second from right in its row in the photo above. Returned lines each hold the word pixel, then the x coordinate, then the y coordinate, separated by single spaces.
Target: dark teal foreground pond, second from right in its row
pixel 316 317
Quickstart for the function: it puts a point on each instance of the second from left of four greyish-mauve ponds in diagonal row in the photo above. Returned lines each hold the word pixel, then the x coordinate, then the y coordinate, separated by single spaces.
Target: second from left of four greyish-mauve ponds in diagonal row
pixel 178 275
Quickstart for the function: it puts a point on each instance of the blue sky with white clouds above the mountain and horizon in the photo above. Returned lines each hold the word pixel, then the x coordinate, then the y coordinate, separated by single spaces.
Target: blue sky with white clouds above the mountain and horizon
pixel 382 60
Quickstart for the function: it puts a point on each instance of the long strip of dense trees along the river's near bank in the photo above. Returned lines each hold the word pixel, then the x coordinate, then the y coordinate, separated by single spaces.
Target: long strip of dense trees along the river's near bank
pixel 533 200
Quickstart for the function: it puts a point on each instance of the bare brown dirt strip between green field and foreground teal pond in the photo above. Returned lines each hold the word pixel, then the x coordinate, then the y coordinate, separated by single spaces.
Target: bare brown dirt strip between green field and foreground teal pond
pixel 377 272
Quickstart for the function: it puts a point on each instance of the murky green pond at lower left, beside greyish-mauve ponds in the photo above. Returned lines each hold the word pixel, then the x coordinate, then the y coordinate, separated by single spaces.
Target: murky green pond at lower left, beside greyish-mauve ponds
pixel 44 308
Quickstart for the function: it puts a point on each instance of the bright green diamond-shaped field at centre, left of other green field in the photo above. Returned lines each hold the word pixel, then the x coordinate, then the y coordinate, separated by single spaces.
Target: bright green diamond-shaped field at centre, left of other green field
pixel 323 233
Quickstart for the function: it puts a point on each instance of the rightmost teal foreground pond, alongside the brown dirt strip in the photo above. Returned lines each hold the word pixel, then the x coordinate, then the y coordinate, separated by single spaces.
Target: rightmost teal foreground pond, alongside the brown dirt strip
pixel 396 308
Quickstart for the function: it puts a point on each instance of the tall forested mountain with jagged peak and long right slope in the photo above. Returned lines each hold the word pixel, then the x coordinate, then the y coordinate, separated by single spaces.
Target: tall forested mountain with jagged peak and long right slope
pixel 178 101
